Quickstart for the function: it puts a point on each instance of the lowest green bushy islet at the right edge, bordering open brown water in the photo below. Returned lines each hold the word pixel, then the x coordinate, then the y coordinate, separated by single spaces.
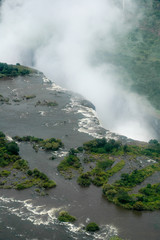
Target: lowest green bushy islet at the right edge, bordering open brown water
pixel 119 191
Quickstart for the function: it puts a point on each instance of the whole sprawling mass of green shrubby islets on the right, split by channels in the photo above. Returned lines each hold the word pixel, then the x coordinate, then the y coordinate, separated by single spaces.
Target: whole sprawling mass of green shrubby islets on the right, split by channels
pixel 119 191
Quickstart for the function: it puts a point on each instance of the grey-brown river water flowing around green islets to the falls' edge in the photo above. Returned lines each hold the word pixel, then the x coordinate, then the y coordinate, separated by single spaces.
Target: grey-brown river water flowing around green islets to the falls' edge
pixel 24 214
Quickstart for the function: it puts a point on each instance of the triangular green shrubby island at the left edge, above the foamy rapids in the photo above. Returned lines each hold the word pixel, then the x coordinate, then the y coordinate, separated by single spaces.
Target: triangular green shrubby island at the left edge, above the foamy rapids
pixel 9 157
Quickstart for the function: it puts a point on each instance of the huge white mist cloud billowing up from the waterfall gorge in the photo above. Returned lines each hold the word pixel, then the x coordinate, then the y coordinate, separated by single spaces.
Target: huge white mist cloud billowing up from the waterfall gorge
pixel 61 38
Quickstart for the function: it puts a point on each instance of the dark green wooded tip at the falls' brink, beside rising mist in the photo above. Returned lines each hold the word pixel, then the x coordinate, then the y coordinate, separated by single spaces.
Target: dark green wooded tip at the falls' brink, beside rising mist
pixel 7 70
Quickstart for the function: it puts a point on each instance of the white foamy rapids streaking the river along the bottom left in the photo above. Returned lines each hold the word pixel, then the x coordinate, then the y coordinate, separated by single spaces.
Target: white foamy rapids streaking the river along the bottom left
pixel 40 215
